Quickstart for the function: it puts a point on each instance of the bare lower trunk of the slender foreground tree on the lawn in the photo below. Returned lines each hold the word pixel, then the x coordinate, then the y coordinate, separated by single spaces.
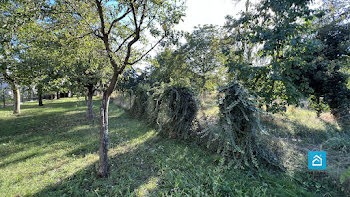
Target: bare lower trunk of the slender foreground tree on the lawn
pixel 103 150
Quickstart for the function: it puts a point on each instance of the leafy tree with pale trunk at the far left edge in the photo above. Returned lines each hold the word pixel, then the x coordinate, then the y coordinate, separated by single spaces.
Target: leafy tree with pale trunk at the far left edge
pixel 15 17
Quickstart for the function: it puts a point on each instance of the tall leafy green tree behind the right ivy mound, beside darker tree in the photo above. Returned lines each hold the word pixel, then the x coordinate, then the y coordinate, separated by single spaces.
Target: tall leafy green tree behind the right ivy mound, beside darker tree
pixel 269 52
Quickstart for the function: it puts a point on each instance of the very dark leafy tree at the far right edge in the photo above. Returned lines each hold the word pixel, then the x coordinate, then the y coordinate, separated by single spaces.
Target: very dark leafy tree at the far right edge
pixel 327 78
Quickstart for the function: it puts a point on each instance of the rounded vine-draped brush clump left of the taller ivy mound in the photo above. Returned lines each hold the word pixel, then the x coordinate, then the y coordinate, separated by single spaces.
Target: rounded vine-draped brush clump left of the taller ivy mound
pixel 171 108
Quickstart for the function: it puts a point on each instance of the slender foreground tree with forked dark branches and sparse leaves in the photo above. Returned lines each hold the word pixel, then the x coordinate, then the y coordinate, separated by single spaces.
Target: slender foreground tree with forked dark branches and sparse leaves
pixel 122 27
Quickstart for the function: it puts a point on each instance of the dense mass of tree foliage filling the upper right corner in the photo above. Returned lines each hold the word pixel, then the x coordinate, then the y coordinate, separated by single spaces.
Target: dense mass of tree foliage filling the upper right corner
pixel 285 51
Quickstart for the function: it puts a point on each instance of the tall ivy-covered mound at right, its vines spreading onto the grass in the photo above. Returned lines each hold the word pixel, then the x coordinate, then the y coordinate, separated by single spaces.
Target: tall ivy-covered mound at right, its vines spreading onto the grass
pixel 239 123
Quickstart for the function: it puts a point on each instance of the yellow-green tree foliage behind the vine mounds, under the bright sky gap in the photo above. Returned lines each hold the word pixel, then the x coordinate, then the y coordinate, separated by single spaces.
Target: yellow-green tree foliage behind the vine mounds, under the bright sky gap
pixel 197 64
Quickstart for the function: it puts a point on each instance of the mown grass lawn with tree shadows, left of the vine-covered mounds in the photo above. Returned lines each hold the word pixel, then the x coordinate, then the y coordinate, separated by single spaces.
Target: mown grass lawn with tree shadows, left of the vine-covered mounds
pixel 52 151
